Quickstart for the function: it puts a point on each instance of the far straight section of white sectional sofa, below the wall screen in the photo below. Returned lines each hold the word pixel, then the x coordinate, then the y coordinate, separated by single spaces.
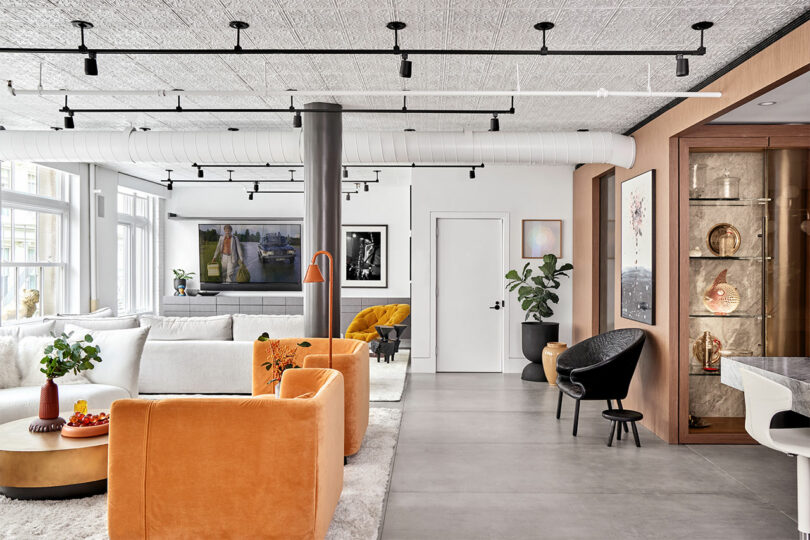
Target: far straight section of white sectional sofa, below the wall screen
pixel 207 355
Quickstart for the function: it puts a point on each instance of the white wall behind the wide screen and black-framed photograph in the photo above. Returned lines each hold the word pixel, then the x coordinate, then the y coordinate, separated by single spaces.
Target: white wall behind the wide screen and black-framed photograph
pixel 386 203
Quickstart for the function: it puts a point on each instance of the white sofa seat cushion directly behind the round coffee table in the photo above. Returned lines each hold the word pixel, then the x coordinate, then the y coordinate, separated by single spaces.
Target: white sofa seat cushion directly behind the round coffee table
pixel 23 401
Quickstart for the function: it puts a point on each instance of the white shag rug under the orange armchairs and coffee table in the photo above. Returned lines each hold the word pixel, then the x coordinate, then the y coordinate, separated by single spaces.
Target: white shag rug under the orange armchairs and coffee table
pixel 358 515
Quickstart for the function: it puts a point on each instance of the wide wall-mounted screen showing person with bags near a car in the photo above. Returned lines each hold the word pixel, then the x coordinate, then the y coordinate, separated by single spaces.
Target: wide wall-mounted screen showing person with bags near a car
pixel 236 256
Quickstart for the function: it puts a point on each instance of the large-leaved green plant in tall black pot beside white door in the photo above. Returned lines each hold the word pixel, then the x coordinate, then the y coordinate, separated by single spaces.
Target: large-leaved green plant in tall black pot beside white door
pixel 535 293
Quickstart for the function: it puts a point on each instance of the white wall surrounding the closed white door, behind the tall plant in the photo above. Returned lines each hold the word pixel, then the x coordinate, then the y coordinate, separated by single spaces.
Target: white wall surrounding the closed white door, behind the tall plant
pixel 542 192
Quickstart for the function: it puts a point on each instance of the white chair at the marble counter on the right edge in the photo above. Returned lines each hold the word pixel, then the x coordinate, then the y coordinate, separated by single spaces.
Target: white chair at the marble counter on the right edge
pixel 765 398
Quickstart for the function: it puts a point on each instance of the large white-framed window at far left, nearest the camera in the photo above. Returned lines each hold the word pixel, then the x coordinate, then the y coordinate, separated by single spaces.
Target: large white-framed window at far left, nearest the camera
pixel 33 224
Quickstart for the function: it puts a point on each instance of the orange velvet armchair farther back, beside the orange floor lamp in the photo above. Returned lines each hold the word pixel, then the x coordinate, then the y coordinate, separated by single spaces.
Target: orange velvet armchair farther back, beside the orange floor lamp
pixel 349 356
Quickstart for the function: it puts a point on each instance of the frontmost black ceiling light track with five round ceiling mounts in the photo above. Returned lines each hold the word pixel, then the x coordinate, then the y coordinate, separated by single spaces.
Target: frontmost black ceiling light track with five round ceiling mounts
pixel 396 50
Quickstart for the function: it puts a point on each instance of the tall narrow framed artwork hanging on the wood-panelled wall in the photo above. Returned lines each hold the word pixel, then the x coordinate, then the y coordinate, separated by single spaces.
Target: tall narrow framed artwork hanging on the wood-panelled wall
pixel 638 248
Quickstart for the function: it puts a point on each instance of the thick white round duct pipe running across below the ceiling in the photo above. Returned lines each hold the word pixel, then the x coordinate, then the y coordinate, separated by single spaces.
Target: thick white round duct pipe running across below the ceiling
pixel 286 147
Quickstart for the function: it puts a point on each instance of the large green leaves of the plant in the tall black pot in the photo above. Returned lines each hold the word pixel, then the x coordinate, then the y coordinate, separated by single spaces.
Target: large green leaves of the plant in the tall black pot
pixel 536 292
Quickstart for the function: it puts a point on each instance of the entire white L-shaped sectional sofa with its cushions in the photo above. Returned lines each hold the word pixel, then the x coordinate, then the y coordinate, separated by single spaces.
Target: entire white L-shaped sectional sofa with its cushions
pixel 153 355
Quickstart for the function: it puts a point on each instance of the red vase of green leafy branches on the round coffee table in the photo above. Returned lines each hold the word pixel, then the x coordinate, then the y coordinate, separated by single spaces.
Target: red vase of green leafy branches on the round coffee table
pixel 60 358
